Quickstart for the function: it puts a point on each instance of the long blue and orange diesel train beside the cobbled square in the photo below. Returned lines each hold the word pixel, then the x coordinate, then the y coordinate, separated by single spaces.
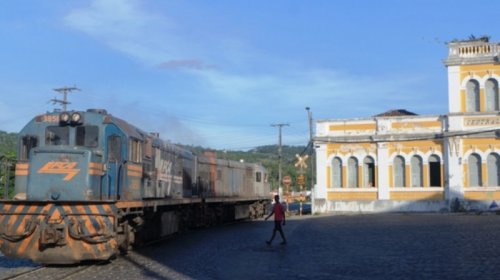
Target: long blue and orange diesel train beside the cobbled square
pixel 89 185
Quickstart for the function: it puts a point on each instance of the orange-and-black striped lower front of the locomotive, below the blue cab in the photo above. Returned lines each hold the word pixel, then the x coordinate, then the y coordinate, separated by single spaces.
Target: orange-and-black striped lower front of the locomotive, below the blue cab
pixel 58 233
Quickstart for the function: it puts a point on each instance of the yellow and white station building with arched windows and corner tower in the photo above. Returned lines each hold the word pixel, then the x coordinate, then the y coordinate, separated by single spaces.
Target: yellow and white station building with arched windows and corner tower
pixel 400 161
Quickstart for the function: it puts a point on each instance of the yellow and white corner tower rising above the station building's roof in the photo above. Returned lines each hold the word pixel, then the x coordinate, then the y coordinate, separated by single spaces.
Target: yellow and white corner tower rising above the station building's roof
pixel 473 75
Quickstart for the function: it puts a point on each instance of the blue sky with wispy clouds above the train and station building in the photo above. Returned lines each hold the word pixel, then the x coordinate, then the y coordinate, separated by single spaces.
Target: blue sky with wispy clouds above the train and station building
pixel 219 73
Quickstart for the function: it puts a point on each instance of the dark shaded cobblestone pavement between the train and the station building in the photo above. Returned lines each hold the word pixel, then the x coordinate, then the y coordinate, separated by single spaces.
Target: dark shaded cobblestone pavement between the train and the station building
pixel 377 246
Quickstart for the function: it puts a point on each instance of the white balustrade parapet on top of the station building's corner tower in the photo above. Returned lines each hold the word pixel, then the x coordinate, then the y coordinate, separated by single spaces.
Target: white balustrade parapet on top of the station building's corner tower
pixel 473 51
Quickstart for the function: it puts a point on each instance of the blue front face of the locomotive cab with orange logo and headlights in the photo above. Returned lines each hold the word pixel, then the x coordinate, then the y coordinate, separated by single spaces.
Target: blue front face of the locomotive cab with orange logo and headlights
pixel 60 158
